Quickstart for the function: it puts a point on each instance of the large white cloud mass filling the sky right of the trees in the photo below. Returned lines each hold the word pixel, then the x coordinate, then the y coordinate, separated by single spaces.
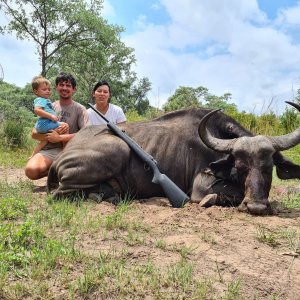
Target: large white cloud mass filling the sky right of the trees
pixel 226 46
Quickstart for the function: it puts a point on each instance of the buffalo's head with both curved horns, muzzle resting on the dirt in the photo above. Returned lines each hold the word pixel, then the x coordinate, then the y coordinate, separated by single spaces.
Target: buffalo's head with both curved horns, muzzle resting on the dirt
pixel 252 158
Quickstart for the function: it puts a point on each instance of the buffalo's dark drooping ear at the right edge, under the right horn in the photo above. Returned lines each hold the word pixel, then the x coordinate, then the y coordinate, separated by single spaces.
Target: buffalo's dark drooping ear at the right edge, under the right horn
pixel 285 168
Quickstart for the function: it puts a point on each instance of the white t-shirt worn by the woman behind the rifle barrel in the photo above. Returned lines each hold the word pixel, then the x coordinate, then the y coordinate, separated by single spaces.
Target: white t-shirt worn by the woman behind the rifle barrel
pixel 114 114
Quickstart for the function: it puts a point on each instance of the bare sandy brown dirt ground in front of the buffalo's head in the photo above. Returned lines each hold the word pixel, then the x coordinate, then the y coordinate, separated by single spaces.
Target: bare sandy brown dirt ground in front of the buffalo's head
pixel 225 243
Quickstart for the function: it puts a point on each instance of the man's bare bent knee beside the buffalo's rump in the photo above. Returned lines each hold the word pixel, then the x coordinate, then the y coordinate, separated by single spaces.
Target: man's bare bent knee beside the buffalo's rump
pixel 38 166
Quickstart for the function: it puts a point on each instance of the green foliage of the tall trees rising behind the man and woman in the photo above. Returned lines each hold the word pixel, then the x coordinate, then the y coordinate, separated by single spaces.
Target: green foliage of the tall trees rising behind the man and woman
pixel 76 30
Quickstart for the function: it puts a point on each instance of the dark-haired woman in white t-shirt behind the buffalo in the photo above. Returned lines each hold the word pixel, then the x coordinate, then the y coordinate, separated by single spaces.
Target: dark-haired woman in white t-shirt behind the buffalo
pixel 102 94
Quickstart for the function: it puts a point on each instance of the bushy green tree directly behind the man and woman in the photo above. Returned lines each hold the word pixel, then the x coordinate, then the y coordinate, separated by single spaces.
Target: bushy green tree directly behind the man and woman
pixel 103 57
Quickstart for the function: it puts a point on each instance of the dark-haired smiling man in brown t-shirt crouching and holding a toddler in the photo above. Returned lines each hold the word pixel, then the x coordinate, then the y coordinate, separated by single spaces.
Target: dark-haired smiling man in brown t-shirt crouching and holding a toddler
pixel 68 111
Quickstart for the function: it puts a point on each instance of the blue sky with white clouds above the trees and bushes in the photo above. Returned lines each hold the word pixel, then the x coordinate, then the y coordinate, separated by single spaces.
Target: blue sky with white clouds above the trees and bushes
pixel 249 48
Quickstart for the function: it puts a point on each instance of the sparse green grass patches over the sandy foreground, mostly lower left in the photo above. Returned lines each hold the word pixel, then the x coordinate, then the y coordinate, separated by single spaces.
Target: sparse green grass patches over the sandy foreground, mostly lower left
pixel 49 247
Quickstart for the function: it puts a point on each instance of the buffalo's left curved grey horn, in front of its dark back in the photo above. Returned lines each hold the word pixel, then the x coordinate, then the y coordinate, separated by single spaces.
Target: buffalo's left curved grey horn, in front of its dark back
pixel 216 144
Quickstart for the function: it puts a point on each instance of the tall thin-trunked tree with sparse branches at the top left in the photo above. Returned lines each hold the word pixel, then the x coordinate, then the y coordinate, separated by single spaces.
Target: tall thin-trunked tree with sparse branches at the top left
pixel 52 25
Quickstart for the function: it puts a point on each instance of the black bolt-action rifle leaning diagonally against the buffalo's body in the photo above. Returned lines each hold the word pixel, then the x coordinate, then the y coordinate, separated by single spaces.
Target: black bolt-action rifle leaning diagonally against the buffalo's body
pixel 176 196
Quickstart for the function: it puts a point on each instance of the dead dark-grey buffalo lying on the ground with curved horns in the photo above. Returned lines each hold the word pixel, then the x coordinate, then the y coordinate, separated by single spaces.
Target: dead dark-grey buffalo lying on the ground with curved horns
pixel 216 162
